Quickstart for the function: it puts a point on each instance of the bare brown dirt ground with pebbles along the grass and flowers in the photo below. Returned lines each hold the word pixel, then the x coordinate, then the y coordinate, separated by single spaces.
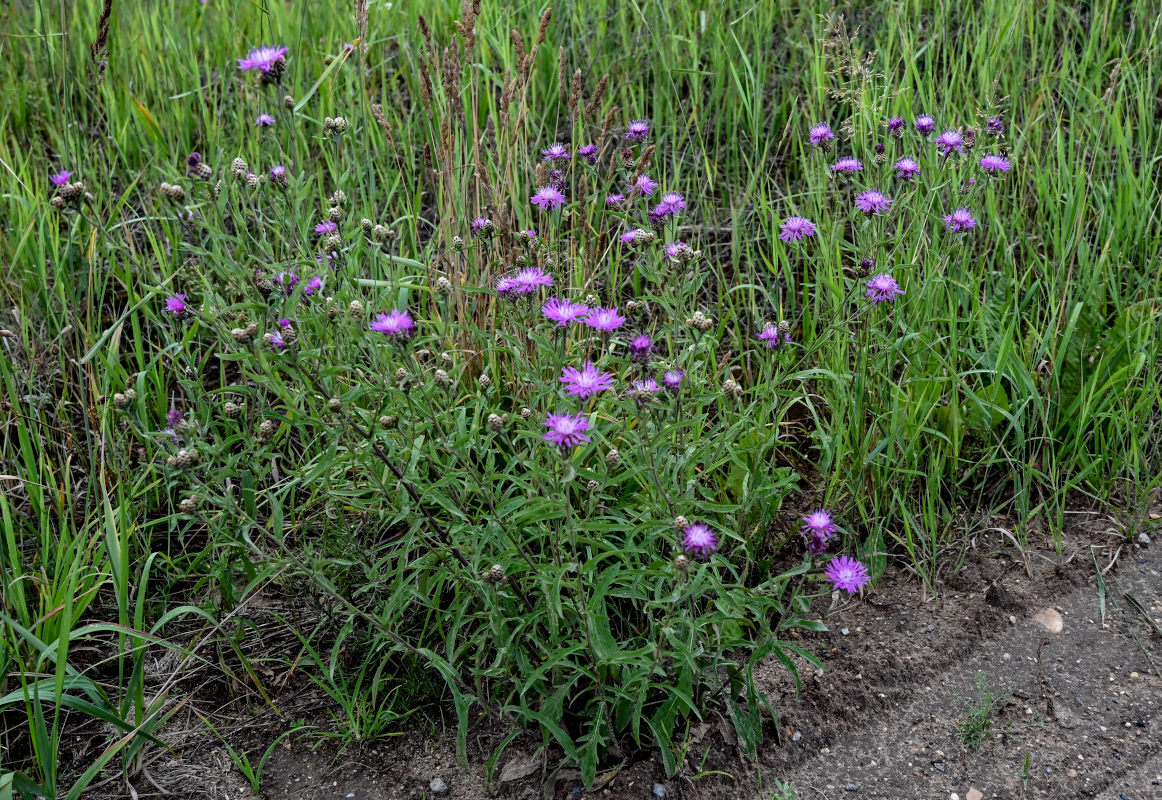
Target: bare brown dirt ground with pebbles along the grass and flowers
pixel 1030 675
